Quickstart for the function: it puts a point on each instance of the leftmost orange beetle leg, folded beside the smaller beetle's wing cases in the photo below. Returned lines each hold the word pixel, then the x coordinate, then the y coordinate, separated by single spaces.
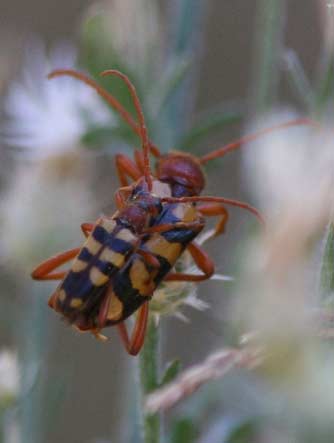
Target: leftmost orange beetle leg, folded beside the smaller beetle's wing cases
pixel 44 270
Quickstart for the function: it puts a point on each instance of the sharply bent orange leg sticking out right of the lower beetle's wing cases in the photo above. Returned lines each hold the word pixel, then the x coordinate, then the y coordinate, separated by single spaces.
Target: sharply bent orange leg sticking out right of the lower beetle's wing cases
pixel 202 261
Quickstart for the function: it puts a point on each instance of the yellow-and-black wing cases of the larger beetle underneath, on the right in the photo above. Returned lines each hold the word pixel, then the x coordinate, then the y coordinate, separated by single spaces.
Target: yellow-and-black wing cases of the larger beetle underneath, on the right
pixel 136 282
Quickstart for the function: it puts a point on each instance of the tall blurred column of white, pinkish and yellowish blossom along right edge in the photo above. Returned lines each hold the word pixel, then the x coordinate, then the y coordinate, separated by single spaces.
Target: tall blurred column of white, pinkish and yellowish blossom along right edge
pixel 291 172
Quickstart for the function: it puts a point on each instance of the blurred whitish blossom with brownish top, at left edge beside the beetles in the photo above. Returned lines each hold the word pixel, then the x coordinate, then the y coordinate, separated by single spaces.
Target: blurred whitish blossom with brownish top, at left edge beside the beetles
pixel 43 208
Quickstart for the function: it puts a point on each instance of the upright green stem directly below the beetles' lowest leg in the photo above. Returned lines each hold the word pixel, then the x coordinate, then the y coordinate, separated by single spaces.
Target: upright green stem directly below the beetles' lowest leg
pixel 148 376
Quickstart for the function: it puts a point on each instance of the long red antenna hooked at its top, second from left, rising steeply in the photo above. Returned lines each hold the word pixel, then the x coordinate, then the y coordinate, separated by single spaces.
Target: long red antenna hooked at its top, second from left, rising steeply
pixel 141 119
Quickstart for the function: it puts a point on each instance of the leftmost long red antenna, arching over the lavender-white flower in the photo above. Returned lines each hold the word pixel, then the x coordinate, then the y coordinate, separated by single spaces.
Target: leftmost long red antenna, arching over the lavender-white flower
pixel 113 102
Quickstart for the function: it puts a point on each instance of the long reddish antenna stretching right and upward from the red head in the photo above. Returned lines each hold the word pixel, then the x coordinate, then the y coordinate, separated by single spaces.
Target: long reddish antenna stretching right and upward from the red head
pixel 220 152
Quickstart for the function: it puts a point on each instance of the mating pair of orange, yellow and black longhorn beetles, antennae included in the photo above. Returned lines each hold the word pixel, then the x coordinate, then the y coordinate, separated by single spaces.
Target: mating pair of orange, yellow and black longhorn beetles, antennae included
pixel 126 256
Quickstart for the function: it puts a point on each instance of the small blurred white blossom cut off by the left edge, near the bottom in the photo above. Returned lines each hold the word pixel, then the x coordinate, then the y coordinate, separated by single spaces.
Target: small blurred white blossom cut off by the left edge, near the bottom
pixel 9 377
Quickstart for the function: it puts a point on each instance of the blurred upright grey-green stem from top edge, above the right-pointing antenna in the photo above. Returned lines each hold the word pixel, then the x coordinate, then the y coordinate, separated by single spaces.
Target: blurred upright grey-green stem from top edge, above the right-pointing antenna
pixel 269 30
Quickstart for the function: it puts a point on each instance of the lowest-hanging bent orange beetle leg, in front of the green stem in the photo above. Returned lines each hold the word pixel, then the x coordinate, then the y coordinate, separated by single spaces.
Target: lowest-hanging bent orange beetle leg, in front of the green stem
pixel 134 344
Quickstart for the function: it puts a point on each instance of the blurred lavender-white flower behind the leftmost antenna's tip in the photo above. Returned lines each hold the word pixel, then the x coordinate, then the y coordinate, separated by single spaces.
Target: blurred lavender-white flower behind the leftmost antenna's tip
pixel 46 117
